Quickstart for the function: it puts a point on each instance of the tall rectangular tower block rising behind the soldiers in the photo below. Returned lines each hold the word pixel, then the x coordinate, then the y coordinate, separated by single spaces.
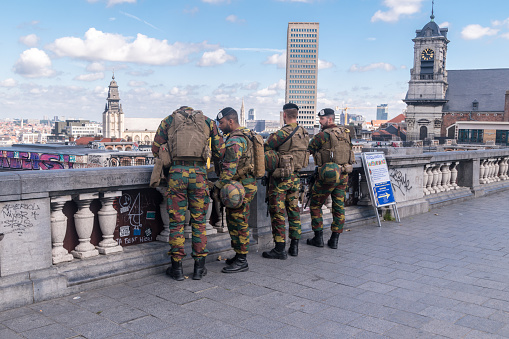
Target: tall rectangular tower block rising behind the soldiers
pixel 302 69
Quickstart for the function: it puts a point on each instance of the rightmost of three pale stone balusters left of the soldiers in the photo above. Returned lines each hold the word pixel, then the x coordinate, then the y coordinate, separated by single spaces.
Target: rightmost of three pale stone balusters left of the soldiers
pixel 108 221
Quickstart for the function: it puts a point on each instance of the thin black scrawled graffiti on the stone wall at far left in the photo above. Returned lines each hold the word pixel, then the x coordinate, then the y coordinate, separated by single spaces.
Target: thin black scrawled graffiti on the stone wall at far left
pixel 18 217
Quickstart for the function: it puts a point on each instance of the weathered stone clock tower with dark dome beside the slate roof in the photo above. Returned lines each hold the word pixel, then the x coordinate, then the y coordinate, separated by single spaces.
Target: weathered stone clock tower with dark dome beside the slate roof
pixel 428 83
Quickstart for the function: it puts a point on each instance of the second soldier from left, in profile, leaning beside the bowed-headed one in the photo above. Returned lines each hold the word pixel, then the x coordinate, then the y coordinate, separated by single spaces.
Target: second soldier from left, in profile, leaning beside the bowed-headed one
pixel 233 168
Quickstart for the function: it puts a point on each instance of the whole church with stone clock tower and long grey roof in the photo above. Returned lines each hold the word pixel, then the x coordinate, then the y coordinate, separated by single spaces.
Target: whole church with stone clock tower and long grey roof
pixel 467 105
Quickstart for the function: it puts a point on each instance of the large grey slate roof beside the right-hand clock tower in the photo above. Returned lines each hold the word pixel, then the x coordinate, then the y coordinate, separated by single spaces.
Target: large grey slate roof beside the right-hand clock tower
pixel 487 86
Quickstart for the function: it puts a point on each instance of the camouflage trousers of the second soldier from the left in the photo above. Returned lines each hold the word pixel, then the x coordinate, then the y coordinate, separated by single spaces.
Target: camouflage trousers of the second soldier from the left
pixel 236 219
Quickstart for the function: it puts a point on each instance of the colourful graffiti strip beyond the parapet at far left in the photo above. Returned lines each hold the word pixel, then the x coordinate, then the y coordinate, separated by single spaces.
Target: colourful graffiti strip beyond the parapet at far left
pixel 40 161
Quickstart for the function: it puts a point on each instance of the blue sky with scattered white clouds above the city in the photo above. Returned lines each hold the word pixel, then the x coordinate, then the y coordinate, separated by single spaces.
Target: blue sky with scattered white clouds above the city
pixel 58 56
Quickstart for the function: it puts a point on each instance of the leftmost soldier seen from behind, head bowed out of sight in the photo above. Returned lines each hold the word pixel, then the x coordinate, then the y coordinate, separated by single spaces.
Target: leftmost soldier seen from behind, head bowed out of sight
pixel 187 187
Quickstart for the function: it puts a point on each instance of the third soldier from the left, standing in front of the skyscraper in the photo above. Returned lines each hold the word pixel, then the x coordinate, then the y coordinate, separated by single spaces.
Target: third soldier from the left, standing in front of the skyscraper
pixel 283 191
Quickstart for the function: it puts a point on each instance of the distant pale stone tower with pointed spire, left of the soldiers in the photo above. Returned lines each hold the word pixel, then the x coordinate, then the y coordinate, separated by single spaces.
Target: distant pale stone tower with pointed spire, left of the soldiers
pixel 113 116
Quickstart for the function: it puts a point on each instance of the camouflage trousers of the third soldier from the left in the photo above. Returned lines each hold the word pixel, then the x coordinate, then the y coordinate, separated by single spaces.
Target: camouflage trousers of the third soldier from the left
pixel 284 195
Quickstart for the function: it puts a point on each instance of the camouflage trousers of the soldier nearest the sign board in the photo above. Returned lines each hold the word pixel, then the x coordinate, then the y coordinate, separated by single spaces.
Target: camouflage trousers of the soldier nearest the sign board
pixel 319 194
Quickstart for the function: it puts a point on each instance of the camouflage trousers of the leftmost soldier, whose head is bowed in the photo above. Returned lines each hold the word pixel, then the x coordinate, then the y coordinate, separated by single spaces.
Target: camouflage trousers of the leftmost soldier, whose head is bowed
pixel 187 189
